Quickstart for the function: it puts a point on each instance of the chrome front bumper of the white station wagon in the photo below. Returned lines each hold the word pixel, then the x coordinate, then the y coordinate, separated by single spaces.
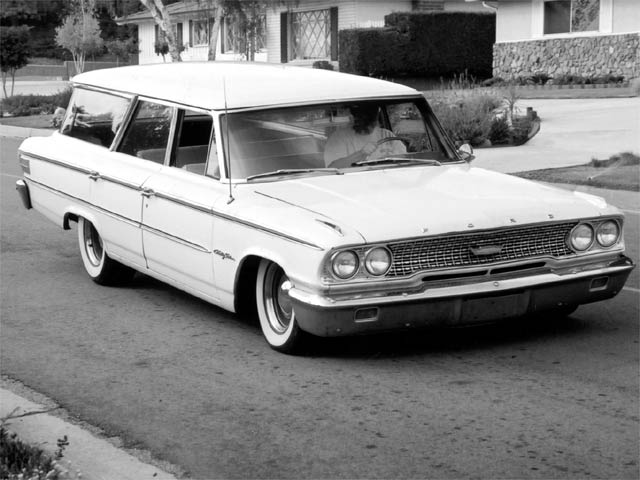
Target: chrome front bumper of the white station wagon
pixel 459 304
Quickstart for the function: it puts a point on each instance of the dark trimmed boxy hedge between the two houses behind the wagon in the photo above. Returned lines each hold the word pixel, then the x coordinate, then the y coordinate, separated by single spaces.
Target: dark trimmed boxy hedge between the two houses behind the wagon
pixel 421 44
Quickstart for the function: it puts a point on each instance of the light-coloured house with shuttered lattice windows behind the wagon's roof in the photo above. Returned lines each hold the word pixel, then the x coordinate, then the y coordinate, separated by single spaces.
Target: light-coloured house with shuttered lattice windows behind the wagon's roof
pixel 299 32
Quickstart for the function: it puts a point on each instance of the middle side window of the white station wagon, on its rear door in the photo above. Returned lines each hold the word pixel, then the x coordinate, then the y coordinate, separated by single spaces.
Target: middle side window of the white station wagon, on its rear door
pixel 148 133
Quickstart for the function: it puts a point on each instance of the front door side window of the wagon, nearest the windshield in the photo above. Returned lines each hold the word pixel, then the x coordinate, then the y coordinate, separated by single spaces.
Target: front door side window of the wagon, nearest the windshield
pixel 193 134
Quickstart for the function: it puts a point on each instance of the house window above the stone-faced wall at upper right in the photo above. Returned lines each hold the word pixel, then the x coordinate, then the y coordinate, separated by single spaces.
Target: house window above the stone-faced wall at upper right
pixel 570 16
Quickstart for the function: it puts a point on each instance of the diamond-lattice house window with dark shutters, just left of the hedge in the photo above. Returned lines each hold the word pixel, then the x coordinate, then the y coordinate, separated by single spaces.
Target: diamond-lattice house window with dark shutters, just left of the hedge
pixel 309 35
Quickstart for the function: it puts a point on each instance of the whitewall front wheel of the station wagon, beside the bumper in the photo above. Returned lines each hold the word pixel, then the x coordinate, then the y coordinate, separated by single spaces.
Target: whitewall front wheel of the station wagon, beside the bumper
pixel 275 309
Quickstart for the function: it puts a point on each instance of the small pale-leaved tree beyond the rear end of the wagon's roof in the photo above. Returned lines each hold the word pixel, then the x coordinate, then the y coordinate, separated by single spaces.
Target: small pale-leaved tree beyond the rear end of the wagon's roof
pixel 80 33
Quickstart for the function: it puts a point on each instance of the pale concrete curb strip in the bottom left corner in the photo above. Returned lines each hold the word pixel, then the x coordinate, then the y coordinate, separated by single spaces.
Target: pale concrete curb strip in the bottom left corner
pixel 94 458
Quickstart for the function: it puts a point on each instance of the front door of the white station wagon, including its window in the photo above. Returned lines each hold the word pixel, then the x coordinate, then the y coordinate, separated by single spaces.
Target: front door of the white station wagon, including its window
pixel 177 207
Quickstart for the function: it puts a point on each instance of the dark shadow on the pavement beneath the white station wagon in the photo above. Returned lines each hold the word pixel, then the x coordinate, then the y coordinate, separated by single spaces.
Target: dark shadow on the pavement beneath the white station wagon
pixel 404 343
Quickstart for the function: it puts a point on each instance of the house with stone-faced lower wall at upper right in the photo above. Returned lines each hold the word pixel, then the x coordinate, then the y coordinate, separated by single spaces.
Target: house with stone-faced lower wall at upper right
pixel 580 37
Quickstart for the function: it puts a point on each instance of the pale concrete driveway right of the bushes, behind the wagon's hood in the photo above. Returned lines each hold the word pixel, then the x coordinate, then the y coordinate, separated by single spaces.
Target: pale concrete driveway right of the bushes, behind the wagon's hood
pixel 573 131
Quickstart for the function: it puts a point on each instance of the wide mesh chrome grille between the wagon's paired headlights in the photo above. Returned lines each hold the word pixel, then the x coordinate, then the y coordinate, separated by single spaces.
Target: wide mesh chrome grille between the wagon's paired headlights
pixel 453 251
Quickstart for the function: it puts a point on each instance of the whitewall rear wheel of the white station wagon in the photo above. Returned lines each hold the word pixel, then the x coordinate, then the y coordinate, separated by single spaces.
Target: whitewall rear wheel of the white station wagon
pixel 102 269
